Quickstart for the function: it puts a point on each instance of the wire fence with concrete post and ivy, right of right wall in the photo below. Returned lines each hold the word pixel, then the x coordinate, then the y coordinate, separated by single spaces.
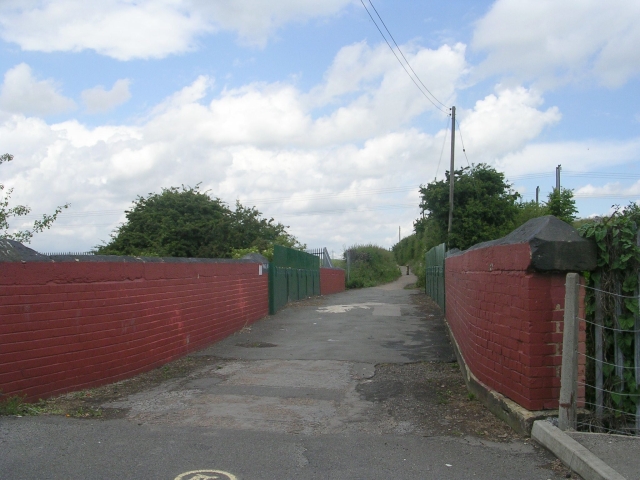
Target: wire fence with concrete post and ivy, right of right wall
pixel 611 379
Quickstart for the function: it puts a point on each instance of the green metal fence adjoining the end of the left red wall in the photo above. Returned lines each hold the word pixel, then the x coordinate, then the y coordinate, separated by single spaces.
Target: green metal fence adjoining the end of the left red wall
pixel 293 275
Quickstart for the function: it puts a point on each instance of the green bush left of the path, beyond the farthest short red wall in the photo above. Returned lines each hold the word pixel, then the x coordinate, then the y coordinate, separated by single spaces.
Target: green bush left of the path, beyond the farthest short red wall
pixel 370 265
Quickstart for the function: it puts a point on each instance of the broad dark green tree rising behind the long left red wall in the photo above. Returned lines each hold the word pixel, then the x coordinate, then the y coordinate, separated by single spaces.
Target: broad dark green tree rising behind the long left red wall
pixel 184 222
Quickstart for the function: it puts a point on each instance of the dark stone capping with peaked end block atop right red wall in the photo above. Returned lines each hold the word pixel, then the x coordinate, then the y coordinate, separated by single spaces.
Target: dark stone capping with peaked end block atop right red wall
pixel 555 245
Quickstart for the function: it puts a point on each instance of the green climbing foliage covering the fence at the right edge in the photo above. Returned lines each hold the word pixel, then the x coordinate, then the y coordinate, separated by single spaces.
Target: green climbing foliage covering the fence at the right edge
pixel 617 276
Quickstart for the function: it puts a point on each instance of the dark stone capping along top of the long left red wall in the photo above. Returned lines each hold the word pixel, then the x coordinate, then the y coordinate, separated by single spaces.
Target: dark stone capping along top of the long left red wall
pixel 12 251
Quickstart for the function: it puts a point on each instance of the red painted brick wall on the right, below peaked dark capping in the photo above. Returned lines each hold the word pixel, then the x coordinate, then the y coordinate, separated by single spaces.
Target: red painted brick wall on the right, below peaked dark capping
pixel 507 321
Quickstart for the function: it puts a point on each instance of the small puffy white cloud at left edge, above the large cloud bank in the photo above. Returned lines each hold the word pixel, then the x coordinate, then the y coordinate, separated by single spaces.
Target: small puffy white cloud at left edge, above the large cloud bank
pixel 21 92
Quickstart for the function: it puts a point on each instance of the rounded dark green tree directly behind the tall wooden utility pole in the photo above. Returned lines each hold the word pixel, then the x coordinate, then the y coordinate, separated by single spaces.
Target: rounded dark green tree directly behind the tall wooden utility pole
pixel 485 206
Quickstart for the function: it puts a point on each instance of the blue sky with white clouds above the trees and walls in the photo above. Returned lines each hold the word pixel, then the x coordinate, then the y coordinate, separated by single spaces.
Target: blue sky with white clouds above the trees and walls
pixel 301 109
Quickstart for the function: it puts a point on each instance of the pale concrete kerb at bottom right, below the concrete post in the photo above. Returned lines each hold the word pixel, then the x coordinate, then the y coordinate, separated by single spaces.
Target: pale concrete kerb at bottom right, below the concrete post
pixel 572 453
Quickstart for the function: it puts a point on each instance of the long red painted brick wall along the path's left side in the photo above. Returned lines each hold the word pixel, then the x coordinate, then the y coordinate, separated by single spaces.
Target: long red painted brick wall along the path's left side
pixel 67 326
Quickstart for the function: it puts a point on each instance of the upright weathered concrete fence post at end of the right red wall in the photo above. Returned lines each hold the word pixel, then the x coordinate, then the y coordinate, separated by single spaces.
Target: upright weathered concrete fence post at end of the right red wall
pixel 567 415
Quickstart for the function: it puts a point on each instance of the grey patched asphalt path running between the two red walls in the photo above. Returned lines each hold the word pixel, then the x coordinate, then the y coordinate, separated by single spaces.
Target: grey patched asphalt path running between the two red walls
pixel 283 399
